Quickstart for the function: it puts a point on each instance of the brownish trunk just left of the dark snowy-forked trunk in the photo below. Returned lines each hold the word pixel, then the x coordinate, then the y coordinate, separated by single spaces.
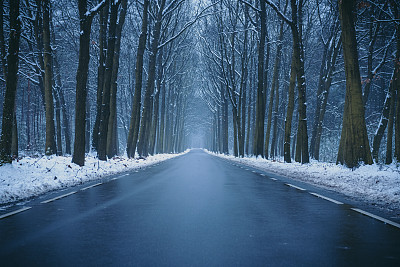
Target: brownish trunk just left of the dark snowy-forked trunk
pixel 50 146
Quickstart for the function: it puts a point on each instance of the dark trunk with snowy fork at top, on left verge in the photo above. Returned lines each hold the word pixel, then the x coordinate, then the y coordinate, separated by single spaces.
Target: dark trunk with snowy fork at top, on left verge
pixel 86 18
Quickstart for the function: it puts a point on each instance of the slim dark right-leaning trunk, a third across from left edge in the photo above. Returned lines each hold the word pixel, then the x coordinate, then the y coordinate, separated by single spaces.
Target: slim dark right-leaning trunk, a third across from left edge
pixel 135 117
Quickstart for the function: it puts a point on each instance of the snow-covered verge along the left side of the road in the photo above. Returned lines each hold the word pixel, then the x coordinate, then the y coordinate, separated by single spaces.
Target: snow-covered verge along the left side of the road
pixel 30 177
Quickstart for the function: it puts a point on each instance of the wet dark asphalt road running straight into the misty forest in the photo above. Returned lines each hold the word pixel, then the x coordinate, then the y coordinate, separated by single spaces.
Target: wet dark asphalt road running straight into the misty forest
pixel 194 210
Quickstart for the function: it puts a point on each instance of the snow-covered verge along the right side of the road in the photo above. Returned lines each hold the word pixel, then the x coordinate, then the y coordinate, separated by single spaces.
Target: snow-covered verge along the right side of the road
pixel 372 183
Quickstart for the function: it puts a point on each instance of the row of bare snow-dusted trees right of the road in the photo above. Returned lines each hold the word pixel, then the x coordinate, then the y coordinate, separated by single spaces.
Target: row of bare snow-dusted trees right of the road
pixel 274 64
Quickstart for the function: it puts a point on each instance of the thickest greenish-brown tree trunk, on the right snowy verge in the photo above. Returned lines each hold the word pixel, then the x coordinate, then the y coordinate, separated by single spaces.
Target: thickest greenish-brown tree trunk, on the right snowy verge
pixel 354 146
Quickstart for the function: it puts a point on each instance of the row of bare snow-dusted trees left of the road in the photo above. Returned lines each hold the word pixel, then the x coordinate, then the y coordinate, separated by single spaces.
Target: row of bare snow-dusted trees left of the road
pixel 130 57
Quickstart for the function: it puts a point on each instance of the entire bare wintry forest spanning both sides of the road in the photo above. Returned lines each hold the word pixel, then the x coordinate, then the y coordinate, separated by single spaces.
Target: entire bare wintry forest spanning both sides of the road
pixel 288 80
